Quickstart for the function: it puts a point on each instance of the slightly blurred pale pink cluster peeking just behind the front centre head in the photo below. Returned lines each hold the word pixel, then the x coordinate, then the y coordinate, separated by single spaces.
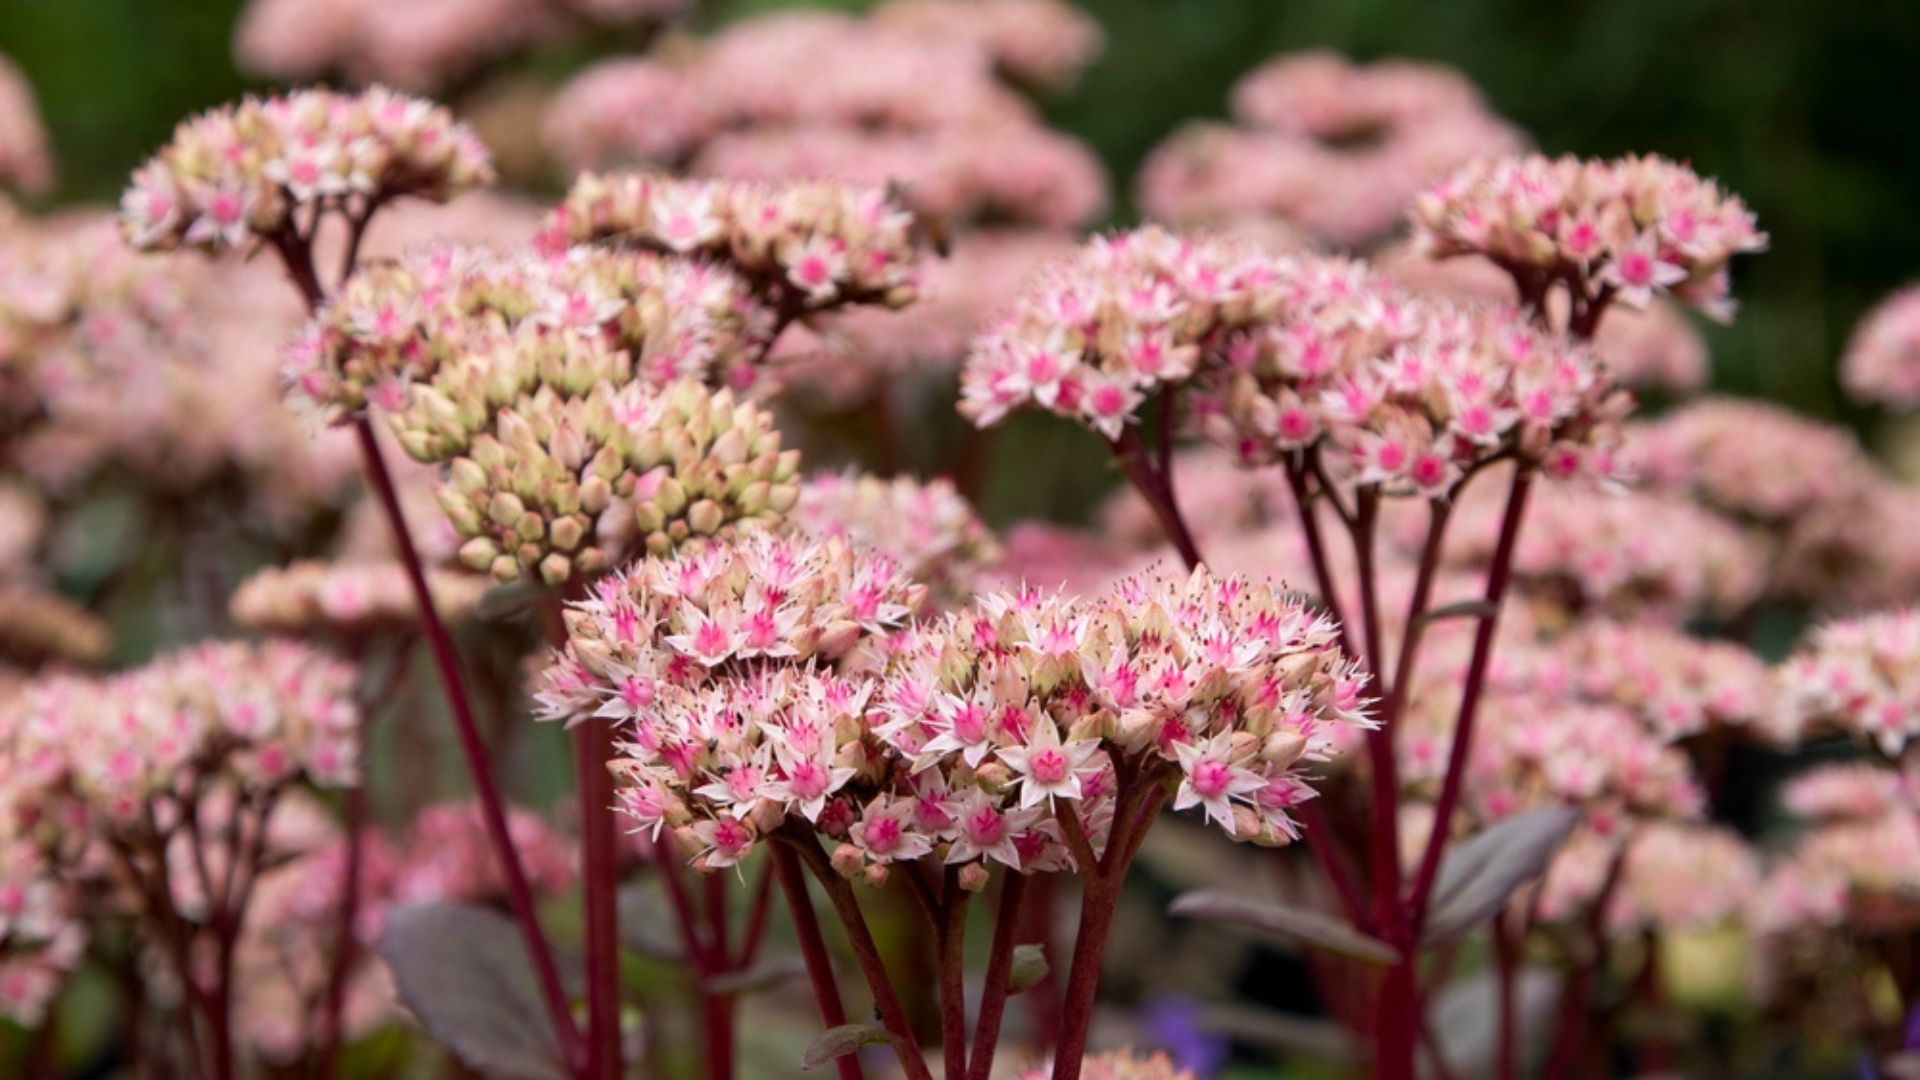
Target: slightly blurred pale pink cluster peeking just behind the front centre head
pixel 926 528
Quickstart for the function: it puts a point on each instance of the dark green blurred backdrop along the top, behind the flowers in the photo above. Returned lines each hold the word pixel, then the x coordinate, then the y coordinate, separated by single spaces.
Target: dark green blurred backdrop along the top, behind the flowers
pixel 1802 107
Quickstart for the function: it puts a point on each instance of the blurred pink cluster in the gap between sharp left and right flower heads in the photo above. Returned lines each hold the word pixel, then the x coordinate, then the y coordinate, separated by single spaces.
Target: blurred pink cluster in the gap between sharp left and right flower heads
pixel 869 351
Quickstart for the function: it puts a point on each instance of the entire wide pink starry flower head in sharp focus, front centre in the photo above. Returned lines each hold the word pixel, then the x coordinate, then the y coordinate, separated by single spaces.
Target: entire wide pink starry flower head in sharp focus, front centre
pixel 984 737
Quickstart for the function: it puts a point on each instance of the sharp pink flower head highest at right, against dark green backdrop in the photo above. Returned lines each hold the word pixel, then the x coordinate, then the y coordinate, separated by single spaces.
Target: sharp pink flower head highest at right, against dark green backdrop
pixel 1625 230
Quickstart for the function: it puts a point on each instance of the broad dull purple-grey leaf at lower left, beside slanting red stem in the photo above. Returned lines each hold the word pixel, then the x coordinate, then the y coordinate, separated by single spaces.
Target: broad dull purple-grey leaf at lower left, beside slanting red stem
pixel 466 977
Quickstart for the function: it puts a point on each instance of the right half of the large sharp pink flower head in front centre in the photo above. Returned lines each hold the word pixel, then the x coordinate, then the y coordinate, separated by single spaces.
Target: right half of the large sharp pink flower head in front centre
pixel 1019 716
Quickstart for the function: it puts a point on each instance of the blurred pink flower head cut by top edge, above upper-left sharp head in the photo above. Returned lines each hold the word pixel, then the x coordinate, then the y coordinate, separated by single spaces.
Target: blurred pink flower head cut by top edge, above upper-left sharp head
pixel 418 45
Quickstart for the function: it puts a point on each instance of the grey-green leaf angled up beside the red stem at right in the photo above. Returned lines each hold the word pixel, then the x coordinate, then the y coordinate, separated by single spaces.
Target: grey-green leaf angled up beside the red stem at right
pixel 1477 877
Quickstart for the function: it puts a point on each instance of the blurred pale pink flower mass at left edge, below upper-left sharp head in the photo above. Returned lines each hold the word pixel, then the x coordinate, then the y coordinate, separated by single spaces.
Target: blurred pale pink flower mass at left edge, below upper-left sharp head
pixel 149 366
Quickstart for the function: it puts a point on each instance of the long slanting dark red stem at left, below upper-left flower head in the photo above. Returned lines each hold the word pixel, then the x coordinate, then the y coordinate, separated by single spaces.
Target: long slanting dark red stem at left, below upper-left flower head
pixel 492 810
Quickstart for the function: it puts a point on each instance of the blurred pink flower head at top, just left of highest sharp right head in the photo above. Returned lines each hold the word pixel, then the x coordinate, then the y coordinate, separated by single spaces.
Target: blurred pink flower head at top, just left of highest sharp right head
pixel 1333 147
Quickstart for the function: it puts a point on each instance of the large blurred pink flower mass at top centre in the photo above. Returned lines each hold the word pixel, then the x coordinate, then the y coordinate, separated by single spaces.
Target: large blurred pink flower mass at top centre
pixel 756 103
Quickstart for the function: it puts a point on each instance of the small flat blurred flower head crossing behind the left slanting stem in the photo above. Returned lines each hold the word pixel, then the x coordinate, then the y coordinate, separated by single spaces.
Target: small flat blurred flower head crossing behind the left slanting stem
pixel 347 599
